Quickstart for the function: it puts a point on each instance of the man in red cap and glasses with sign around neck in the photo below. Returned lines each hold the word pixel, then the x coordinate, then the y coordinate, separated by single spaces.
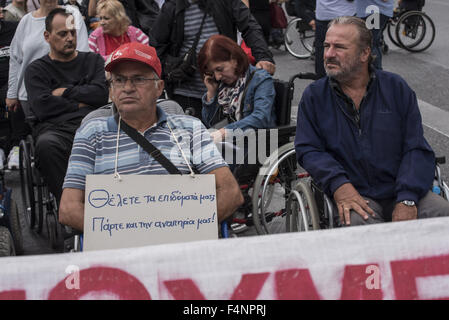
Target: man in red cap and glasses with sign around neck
pixel 135 87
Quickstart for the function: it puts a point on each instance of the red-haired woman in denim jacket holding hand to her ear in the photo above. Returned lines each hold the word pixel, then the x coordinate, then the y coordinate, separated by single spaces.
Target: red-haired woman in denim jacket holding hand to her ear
pixel 239 95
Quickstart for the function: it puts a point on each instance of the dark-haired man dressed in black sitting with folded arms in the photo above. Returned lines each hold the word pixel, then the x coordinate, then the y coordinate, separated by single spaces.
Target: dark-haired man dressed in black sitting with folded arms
pixel 63 86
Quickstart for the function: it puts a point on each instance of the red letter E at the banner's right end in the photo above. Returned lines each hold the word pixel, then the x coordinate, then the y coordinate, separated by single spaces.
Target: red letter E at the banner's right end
pixel 405 273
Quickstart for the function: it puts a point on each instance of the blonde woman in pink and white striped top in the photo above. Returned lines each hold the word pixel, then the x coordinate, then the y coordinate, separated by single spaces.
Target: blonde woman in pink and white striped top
pixel 114 30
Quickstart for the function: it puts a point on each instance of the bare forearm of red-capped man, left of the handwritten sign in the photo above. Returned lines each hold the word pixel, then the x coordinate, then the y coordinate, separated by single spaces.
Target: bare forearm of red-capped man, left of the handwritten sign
pixel 71 208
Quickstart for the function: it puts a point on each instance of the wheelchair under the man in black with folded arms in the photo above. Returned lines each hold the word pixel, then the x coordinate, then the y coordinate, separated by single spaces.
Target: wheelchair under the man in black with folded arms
pixel 39 203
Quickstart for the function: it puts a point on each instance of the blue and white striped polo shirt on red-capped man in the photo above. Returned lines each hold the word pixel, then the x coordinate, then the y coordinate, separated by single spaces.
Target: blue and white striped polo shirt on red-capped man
pixel 94 149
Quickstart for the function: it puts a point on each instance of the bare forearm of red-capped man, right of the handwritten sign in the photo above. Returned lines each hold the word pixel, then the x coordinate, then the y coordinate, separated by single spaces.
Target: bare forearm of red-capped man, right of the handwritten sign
pixel 229 196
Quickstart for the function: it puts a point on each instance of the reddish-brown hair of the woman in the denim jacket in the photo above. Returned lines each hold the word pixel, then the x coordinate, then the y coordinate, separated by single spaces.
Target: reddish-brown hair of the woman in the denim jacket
pixel 220 48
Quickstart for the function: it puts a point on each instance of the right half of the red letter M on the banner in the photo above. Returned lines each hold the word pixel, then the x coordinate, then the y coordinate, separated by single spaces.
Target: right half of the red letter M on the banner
pixel 357 284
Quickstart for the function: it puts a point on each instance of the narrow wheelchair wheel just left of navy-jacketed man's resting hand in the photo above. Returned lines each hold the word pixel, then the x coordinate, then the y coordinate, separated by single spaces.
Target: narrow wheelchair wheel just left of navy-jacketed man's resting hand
pixel 302 212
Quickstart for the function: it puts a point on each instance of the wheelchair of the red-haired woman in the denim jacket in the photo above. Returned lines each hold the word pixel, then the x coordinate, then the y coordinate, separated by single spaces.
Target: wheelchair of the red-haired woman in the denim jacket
pixel 266 186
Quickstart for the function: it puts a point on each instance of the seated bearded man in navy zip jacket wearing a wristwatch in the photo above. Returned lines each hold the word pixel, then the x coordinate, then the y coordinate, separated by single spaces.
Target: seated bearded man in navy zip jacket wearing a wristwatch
pixel 360 136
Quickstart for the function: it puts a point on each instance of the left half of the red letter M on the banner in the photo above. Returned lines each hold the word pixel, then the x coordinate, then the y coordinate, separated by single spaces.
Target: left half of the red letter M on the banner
pixel 295 284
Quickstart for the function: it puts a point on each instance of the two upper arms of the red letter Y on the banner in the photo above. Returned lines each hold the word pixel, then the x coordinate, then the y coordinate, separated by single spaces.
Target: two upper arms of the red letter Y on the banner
pixel 248 288
